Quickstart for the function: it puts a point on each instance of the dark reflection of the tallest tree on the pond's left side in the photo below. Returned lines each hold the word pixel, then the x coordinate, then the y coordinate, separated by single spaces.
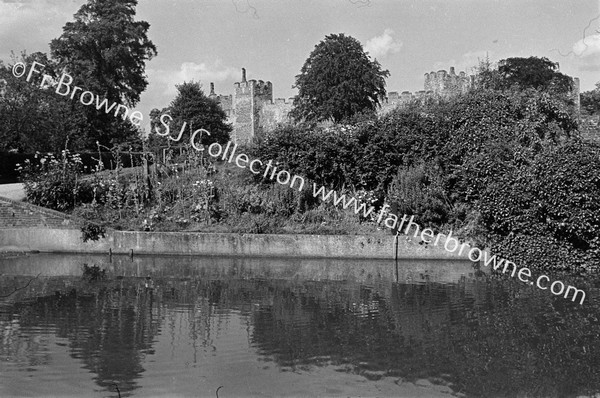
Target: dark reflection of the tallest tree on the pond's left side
pixel 110 331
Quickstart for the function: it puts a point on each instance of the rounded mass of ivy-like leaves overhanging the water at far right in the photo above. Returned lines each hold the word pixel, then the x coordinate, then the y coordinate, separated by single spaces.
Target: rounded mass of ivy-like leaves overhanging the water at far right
pixel 554 201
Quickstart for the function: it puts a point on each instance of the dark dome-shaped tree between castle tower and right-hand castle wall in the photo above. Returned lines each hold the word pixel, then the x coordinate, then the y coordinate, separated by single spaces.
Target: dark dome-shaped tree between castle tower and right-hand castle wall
pixel 337 81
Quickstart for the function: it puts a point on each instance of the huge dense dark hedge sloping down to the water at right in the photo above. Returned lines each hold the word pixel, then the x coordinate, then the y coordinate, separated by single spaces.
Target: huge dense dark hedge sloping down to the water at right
pixel 508 164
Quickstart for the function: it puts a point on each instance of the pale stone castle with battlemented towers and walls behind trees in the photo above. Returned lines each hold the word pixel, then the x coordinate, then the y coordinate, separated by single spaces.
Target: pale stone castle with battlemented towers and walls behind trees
pixel 252 109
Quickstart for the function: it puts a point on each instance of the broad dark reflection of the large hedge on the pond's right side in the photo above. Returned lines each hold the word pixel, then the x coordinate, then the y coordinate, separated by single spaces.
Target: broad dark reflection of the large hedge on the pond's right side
pixel 505 341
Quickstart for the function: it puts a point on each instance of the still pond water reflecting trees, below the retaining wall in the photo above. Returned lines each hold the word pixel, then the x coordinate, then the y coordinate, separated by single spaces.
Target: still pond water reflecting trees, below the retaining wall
pixel 194 326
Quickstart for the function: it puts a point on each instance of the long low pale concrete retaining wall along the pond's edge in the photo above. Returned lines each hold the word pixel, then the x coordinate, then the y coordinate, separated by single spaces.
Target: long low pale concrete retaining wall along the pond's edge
pixel 181 243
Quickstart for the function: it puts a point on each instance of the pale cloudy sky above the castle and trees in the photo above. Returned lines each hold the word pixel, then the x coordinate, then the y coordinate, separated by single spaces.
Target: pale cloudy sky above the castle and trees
pixel 210 40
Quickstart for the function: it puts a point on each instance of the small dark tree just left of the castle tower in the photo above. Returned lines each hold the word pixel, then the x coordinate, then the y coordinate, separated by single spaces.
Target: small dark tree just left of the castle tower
pixel 190 111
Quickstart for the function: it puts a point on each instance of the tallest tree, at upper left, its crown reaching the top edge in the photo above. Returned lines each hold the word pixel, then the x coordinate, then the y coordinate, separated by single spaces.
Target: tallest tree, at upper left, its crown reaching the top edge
pixel 105 51
